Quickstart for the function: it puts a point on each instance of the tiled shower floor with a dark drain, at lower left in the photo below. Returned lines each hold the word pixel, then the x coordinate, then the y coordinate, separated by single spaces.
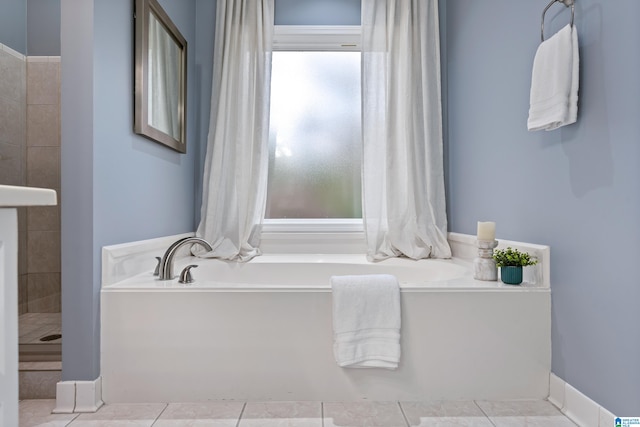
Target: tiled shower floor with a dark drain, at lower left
pixel 33 327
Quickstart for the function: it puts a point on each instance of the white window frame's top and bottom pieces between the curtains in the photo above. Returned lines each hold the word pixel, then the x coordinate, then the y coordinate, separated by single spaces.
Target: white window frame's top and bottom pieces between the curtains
pixel 330 38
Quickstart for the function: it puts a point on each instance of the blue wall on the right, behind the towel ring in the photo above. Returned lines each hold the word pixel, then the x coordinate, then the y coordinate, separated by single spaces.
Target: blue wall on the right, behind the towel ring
pixel 575 189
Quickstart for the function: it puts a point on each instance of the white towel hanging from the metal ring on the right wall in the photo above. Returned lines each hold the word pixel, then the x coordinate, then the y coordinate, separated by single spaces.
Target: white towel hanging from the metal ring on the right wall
pixel 554 82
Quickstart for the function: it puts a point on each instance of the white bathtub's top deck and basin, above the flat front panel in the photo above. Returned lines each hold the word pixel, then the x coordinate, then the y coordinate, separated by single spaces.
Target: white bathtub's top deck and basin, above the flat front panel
pixel 304 272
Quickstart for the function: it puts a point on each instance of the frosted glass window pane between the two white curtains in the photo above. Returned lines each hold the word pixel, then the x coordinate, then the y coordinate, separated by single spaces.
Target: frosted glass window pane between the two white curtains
pixel 314 136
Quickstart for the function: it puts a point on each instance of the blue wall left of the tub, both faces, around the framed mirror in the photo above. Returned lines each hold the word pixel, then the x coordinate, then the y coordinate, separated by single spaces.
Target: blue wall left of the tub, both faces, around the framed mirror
pixel 117 186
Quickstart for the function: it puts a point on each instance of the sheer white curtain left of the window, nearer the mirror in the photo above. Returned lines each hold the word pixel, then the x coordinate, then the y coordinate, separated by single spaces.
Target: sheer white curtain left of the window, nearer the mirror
pixel 236 165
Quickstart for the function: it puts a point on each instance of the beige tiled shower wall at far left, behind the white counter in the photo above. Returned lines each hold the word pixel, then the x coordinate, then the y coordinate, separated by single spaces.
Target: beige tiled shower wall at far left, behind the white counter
pixel 30 155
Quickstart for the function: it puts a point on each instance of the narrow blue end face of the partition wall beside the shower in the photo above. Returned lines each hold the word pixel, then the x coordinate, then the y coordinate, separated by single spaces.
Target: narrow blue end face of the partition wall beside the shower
pixel 80 347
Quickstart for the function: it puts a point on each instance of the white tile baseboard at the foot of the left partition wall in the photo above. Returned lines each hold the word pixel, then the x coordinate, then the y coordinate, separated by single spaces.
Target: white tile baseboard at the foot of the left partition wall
pixel 78 396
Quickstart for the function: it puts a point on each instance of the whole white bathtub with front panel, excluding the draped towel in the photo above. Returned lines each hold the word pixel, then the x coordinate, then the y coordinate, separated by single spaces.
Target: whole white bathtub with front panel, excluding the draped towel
pixel 263 331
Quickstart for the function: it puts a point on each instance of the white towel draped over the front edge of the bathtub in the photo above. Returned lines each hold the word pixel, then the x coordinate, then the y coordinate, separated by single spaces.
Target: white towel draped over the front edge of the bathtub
pixel 366 321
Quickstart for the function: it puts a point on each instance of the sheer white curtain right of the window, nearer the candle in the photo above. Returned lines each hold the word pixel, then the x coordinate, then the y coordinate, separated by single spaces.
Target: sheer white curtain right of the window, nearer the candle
pixel 403 177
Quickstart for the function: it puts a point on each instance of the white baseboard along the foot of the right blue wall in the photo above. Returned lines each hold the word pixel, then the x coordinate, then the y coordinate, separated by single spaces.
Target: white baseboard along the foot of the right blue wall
pixel 577 406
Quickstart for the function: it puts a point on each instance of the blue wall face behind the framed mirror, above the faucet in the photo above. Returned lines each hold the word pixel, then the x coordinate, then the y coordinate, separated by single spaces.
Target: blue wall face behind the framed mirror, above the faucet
pixel 142 188
